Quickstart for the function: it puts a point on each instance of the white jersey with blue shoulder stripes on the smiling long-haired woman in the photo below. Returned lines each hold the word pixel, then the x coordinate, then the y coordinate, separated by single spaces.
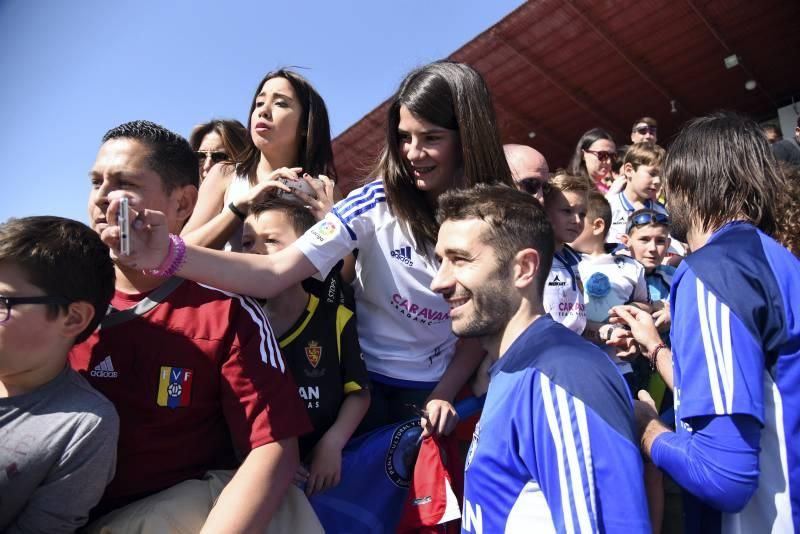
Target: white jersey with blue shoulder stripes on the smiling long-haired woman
pixel 404 327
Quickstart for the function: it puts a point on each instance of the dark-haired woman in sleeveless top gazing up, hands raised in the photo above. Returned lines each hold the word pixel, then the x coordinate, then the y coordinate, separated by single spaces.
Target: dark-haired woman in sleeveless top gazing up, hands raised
pixel 289 136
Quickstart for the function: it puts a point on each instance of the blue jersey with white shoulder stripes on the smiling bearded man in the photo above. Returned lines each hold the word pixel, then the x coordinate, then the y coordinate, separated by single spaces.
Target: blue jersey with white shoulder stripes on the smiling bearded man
pixel 555 447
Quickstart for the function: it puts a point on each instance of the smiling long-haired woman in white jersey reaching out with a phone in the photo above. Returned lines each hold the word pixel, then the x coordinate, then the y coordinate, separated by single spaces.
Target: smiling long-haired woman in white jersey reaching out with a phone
pixel 440 134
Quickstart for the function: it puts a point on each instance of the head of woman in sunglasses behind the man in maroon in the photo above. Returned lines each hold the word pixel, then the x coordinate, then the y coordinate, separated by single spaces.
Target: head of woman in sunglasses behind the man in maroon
pixel 217 141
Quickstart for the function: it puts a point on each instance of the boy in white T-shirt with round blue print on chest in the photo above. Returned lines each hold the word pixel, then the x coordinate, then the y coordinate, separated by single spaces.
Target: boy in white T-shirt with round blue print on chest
pixel 609 279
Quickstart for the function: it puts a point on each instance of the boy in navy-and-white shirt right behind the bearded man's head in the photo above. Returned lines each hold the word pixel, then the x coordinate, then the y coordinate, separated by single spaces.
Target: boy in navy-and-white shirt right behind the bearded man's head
pixel 565 205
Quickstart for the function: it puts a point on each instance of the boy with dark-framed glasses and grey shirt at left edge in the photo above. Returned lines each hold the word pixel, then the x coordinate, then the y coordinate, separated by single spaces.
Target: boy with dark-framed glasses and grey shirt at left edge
pixel 58 435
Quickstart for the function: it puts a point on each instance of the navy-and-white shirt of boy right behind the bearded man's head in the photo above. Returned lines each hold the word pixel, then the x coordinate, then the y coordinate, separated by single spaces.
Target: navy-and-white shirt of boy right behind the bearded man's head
pixel 563 291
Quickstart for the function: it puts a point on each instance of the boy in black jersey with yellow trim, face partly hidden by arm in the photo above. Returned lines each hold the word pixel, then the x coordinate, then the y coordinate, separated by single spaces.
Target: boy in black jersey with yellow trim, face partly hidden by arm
pixel 320 344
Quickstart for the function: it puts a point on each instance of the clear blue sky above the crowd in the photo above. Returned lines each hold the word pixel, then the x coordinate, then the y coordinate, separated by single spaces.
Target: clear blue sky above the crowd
pixel 73 69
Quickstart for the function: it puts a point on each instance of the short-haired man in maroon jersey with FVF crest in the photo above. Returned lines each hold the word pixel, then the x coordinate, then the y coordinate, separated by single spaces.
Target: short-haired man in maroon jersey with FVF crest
pixel 195 373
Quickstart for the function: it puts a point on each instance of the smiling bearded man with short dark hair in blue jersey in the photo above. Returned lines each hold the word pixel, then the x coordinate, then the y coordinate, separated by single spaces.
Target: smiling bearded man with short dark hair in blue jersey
pixel 555 447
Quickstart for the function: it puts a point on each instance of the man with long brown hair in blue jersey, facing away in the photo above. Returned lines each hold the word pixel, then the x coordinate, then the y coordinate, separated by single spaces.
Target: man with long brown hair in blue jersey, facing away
pixel 735 336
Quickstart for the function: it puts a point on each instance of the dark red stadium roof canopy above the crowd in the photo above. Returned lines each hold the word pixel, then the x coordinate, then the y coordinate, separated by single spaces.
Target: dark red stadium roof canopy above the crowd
pixel 559 67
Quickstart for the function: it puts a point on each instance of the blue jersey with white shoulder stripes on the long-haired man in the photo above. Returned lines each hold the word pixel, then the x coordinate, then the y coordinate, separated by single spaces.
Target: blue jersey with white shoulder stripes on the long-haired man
pixel 736 350
